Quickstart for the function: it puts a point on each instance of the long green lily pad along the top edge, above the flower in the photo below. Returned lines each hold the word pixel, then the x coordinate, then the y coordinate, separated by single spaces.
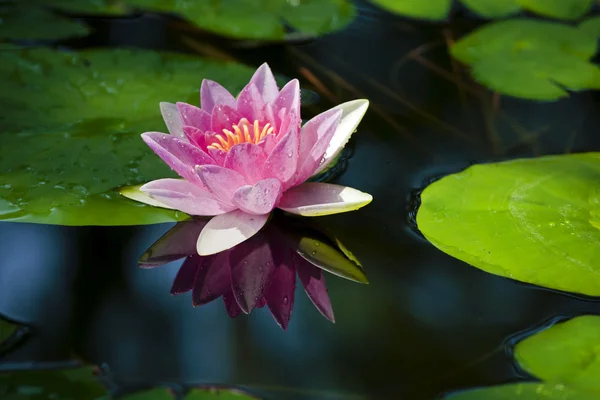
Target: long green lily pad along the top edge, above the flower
pixel 256 19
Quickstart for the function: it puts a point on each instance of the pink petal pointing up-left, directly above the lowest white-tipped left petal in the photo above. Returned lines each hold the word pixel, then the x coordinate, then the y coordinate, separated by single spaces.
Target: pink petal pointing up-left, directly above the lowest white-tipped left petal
pixel 180 155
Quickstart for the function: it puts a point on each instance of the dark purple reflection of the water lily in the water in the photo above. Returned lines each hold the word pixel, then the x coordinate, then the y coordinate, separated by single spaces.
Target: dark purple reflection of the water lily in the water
pixel 260 271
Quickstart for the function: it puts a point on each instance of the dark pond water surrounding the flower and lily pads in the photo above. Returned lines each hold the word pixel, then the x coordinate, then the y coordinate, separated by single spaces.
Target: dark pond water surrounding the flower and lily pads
pixel 427 324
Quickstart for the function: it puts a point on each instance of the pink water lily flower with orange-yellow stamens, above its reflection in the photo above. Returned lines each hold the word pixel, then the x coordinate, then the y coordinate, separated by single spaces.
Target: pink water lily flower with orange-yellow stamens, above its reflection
pixel 241 158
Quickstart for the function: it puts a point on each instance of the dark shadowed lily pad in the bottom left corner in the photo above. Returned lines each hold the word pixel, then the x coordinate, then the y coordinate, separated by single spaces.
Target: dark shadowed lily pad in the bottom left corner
pixel 67 384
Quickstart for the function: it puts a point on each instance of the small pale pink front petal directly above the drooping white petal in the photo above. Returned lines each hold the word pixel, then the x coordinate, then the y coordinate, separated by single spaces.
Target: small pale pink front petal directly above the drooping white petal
pixel 260 198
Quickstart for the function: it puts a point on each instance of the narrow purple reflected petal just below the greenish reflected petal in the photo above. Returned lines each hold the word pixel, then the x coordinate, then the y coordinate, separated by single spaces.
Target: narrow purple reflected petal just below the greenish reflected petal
pixel 313 280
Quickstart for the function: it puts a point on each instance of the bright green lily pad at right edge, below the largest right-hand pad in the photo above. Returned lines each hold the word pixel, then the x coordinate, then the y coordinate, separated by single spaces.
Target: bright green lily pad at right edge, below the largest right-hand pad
pixel 566 353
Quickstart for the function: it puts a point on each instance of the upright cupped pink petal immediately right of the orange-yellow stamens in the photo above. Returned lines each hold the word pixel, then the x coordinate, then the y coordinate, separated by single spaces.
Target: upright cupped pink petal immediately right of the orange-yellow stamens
pixel 283 160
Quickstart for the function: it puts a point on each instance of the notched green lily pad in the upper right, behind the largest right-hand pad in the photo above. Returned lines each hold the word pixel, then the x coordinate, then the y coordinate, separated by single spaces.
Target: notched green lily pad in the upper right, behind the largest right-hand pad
pixel 530 59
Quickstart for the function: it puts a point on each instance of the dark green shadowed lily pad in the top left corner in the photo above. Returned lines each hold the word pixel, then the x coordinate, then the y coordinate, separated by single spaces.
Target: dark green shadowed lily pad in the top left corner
pixel 18 21
